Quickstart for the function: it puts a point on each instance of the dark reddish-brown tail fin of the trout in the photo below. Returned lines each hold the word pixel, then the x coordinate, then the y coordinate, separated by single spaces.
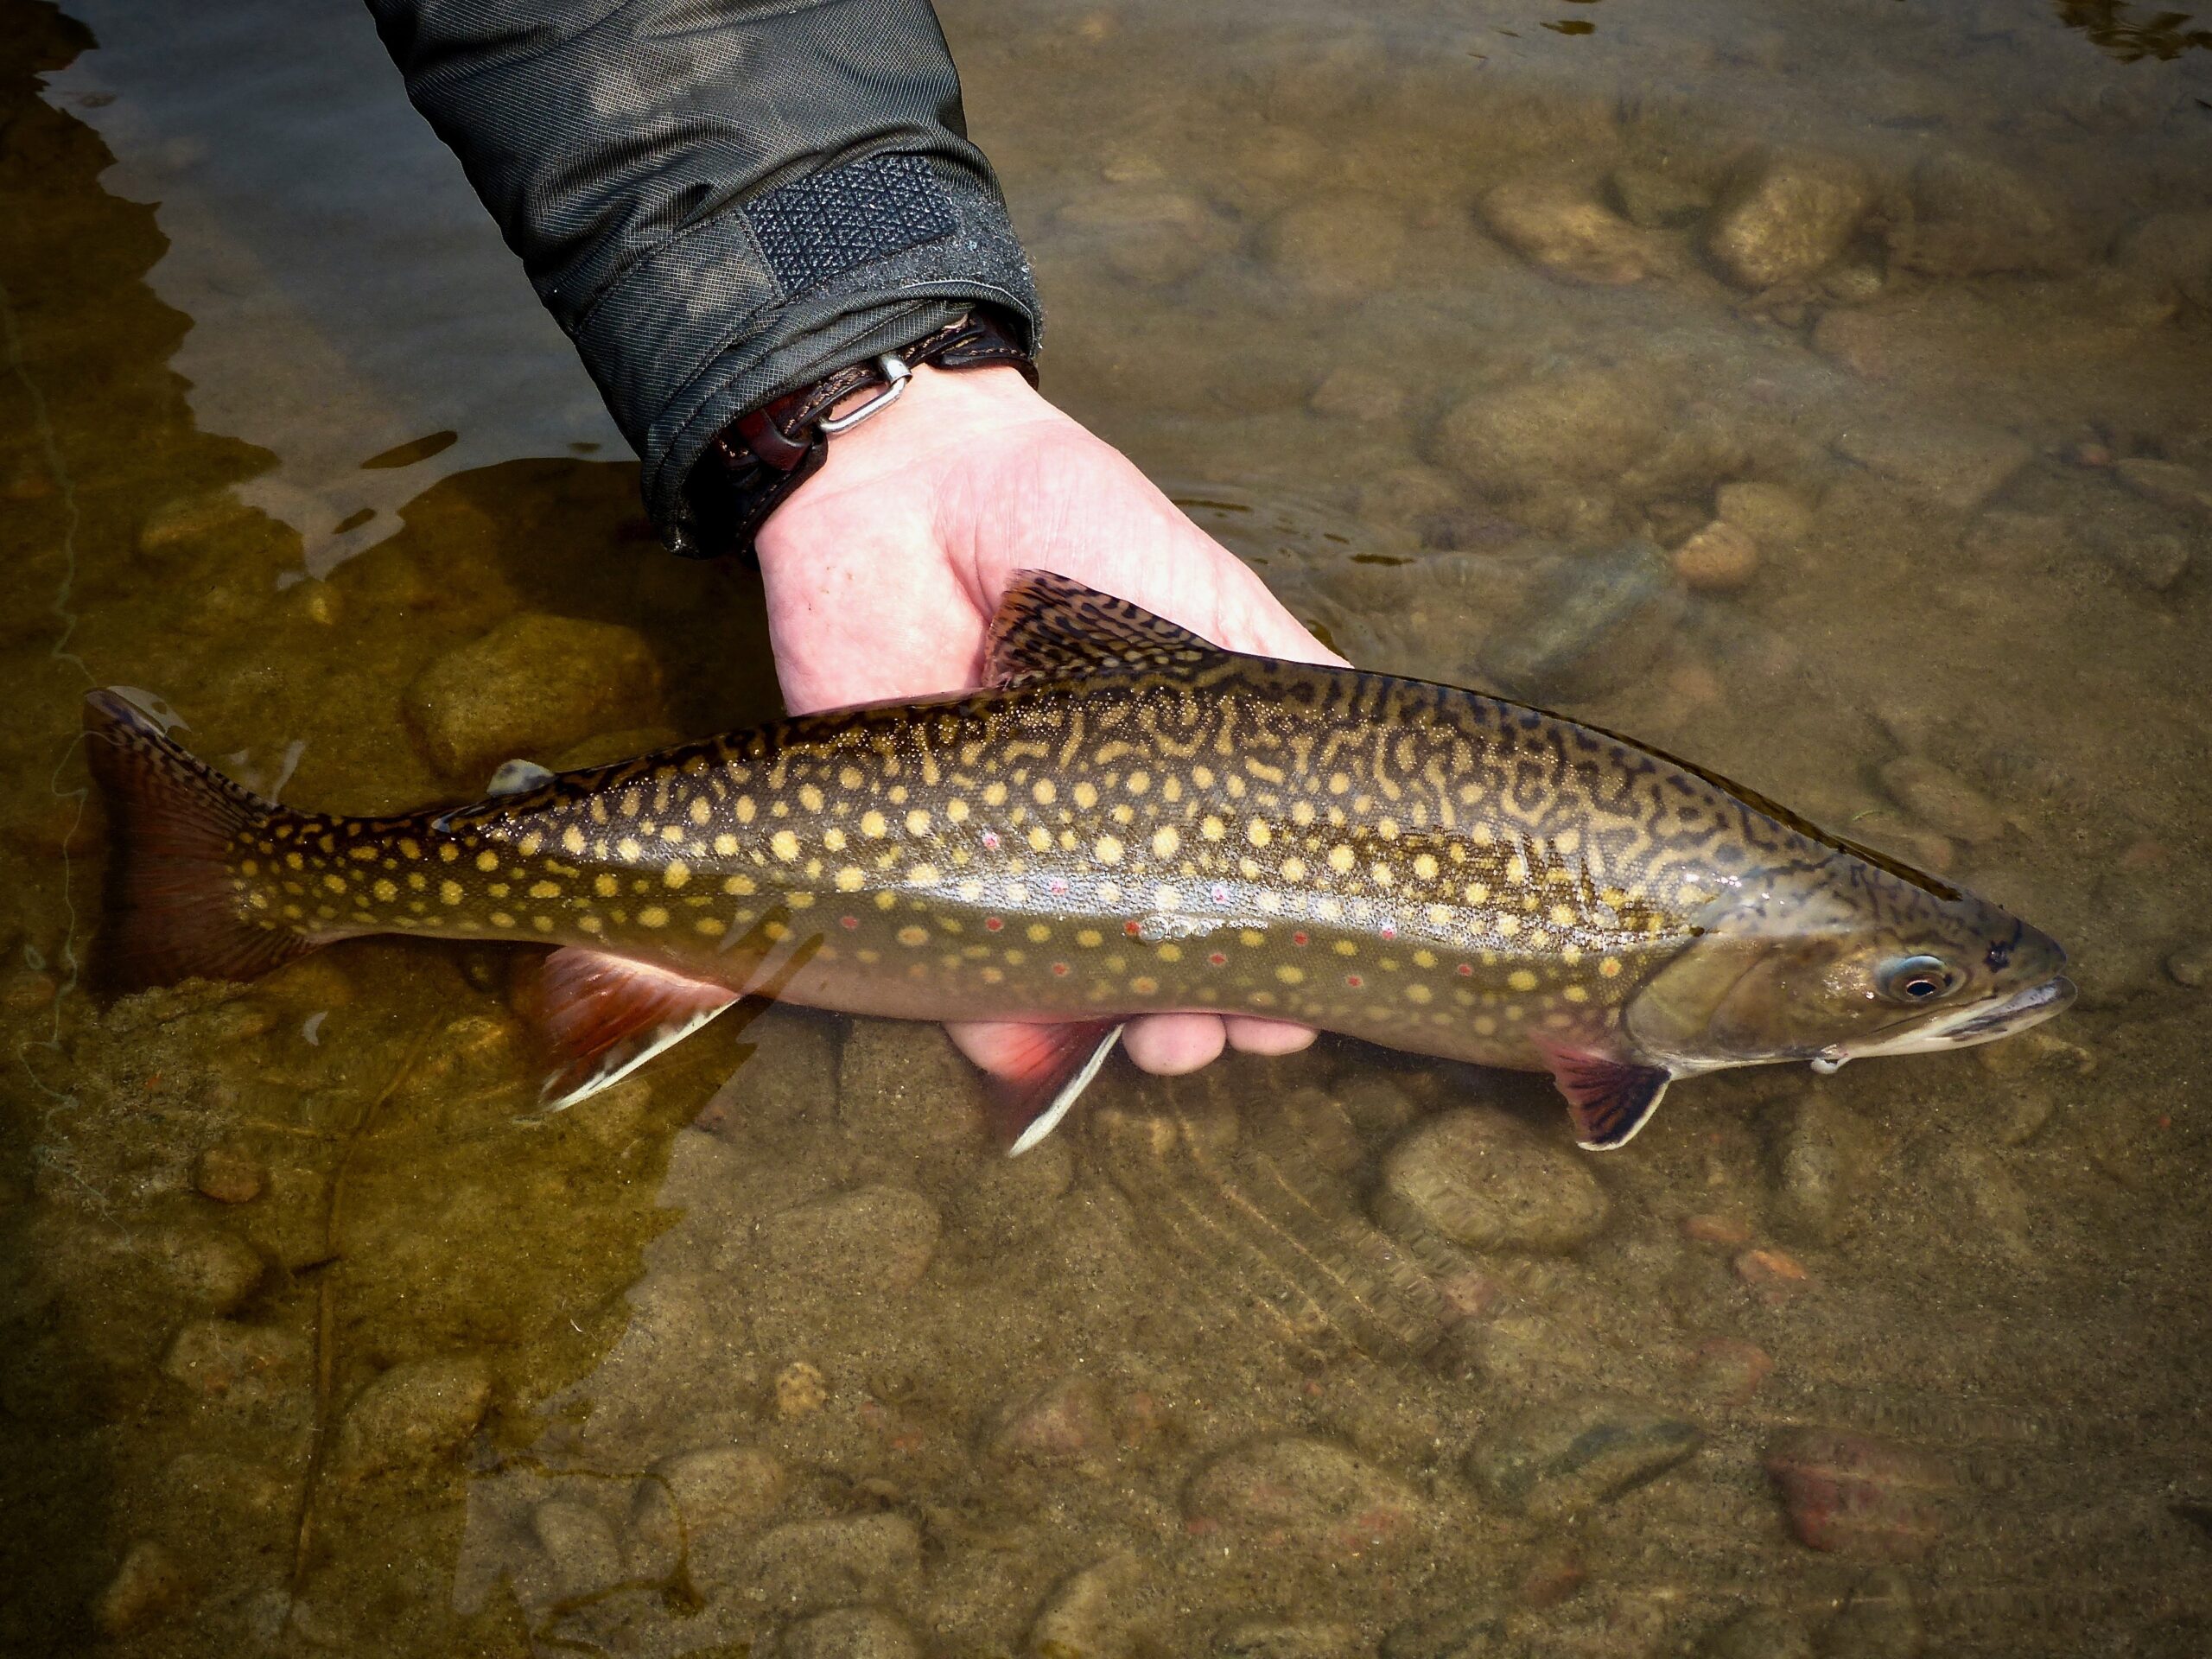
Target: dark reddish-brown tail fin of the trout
pixel 178 901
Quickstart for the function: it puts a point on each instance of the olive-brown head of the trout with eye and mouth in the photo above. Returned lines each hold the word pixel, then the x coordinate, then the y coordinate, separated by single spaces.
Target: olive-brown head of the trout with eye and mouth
pixel 1844 961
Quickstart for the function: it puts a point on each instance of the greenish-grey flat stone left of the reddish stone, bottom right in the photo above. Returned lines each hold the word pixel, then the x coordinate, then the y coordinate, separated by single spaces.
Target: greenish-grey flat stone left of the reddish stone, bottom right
pixel 1565 1461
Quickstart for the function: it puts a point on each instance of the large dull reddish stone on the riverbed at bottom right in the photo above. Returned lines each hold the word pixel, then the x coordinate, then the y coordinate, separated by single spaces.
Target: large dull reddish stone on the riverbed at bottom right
pixel 1855 1494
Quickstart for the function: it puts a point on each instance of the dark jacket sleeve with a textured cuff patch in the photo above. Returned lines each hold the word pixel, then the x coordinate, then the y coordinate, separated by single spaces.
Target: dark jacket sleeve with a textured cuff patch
pixel 718 200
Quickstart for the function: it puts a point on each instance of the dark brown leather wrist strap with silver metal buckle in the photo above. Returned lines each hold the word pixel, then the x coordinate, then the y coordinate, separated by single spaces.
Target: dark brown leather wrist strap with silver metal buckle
pixel 753 466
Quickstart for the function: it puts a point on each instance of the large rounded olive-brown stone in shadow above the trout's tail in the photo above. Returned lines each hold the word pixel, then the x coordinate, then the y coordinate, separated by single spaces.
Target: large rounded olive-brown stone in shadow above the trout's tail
pixel 532 687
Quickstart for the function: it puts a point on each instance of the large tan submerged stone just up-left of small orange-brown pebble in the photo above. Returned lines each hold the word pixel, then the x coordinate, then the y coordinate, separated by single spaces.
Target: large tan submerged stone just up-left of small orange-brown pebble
pixel 1576 428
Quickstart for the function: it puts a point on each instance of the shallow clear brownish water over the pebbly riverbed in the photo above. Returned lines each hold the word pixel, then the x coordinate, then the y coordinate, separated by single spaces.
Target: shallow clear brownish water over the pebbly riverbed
pixel 317 1339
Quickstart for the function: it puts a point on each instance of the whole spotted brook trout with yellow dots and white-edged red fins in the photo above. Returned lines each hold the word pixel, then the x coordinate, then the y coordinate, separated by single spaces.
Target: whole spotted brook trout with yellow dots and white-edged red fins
pixel 1123 820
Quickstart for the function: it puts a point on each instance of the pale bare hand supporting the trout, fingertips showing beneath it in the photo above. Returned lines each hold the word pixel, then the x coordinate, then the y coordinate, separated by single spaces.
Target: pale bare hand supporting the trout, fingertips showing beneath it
pixel 884 574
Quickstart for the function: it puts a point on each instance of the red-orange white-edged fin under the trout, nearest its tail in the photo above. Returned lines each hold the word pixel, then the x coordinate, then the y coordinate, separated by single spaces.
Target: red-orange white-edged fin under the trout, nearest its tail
pixel 605 1016
